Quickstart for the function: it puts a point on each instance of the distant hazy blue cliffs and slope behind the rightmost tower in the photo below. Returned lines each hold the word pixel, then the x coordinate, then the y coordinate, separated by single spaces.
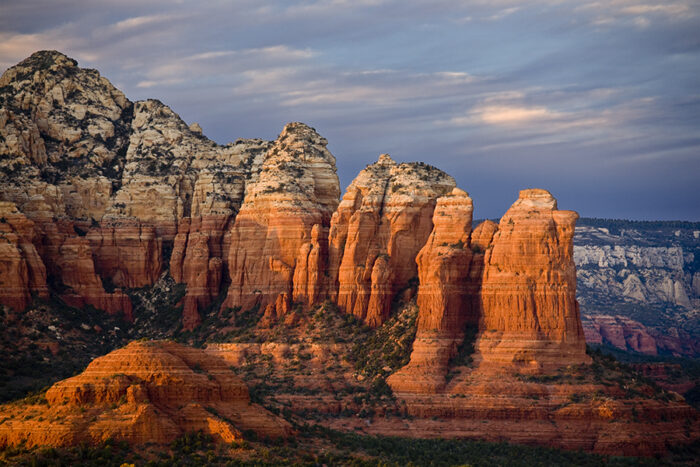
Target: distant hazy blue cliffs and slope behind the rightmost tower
pixel 646 272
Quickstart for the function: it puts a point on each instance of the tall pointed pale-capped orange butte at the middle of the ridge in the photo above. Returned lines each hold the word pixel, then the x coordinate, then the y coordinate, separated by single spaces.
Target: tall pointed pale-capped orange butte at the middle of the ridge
pixel 282 225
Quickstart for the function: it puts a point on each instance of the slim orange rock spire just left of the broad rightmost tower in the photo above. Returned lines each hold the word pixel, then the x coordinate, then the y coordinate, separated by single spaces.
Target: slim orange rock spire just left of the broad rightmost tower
pixel 443 296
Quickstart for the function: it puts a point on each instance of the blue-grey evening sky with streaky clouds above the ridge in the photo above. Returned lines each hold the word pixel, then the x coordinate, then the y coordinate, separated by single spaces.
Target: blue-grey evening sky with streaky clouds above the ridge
pixel 596 101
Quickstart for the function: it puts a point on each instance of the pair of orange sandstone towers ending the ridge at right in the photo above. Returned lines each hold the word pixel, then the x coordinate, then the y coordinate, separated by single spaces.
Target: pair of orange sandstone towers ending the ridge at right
pixel 514 282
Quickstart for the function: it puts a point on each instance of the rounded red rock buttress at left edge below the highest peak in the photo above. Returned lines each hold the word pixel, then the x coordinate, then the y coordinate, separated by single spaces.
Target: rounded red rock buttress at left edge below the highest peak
pixel 22 271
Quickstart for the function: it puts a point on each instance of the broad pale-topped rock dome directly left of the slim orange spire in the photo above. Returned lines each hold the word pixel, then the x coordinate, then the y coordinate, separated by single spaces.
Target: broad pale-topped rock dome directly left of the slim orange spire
pixel 382 222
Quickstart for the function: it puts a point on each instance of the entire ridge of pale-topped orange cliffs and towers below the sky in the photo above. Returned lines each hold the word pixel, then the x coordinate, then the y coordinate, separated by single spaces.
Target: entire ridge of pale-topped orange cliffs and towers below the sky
pixel 82 165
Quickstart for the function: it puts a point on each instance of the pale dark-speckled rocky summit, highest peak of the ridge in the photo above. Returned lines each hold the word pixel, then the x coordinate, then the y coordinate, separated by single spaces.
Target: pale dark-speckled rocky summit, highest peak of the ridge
pixel 60 123
